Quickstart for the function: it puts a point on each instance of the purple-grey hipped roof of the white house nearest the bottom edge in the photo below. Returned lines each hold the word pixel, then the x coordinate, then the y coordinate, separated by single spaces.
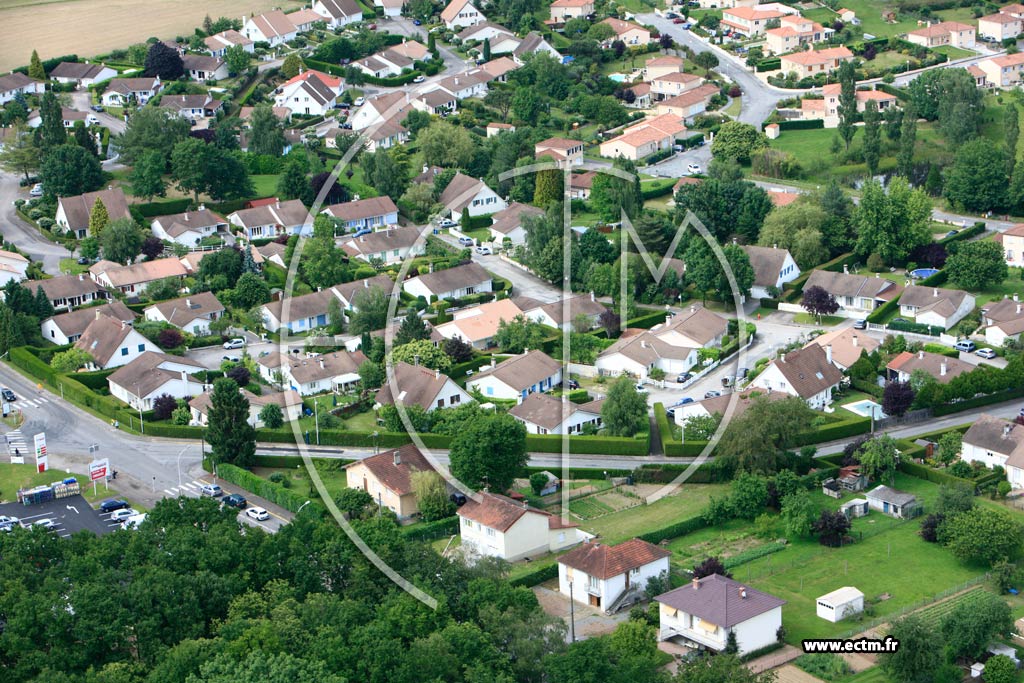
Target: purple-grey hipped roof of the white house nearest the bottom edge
pixel 718 601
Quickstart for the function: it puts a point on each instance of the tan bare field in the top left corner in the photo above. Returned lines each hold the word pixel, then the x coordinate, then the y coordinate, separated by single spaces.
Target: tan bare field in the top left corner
pixel 88 28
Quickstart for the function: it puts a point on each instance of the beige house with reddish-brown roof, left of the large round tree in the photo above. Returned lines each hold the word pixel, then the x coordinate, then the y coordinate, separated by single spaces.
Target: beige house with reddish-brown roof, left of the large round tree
pixel 389 479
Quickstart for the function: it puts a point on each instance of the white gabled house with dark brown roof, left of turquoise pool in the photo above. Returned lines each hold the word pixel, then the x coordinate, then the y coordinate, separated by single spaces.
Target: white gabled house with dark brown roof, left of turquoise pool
pixel 808 373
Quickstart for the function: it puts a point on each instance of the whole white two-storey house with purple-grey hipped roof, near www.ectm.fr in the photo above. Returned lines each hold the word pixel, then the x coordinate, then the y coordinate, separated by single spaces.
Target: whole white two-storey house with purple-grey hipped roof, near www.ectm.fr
pixel 703 614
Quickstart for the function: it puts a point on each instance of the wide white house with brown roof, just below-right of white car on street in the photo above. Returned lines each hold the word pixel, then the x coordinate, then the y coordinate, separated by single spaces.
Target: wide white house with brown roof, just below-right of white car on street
pixel 337 372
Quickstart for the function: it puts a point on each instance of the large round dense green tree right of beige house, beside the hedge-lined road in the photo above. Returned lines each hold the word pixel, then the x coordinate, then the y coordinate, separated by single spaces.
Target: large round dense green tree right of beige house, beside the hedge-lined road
pixel 489 451
